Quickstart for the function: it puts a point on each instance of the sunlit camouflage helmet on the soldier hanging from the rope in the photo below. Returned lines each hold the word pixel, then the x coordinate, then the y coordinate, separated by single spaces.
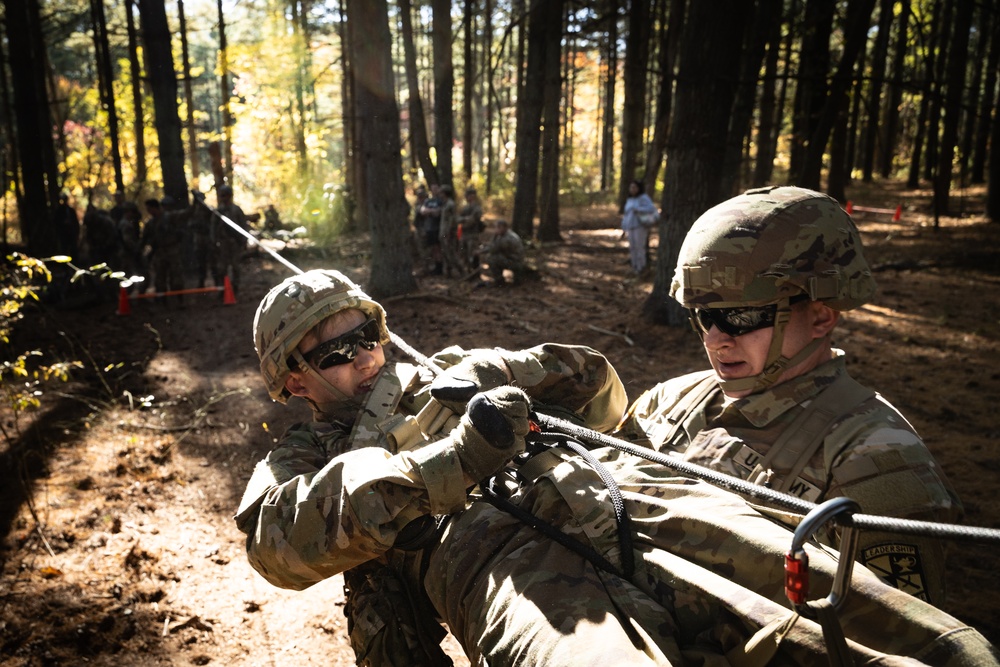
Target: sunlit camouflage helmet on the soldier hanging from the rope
pixel 292 308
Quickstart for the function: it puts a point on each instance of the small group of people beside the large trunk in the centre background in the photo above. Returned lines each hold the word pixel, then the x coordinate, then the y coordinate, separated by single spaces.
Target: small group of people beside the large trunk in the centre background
pixel 450 241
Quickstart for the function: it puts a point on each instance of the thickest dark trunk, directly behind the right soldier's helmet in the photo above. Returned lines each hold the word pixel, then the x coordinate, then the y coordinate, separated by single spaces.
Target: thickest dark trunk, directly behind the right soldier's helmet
pixel 706 87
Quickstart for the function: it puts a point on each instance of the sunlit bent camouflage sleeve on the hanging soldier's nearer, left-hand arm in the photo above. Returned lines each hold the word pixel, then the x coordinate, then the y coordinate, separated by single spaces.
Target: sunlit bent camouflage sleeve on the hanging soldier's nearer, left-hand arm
pixel 310 512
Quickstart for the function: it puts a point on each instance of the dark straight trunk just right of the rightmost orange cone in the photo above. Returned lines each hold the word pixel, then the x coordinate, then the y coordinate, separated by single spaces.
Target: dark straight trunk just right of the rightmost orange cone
pixel 958 57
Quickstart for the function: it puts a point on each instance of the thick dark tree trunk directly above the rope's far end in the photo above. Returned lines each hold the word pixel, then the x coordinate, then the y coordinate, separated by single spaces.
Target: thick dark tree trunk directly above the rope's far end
pixel 163 83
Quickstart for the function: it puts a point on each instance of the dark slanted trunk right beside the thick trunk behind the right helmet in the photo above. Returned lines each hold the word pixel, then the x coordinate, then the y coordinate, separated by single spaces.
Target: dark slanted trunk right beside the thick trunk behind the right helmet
pixel 766 13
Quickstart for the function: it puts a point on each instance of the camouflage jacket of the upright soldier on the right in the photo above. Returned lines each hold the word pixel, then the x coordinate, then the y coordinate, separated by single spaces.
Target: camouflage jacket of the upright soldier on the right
pixel 865 450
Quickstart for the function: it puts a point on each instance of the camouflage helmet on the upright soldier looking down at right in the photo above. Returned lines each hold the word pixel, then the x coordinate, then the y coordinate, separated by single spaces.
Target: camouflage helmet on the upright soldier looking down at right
pixel 773 243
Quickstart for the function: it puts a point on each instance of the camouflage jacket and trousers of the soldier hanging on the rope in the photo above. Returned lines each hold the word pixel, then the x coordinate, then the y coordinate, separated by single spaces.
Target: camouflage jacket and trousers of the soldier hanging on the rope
pixel 339 495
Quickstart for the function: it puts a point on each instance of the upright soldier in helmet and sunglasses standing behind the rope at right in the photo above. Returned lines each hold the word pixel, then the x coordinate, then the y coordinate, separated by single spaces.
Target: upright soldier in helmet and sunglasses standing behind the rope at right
pixel 765 276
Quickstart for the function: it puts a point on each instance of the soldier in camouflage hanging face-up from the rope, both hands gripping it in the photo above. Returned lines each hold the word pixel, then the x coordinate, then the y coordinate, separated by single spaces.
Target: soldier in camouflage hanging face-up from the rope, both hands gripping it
pixel 437 510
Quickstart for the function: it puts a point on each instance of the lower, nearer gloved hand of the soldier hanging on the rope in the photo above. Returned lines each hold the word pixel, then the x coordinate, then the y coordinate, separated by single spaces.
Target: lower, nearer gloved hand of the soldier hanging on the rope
pixel 492 431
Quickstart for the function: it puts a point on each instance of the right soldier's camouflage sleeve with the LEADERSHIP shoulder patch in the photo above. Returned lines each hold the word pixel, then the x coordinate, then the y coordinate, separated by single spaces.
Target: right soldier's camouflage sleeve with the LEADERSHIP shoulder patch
pixel 887 468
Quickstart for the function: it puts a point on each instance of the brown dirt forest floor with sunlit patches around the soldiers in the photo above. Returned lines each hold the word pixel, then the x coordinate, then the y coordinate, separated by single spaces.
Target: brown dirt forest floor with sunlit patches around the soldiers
pixel 116 500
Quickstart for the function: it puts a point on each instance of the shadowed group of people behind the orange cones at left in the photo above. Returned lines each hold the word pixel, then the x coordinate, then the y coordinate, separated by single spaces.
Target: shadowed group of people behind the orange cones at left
pixel 163 251
